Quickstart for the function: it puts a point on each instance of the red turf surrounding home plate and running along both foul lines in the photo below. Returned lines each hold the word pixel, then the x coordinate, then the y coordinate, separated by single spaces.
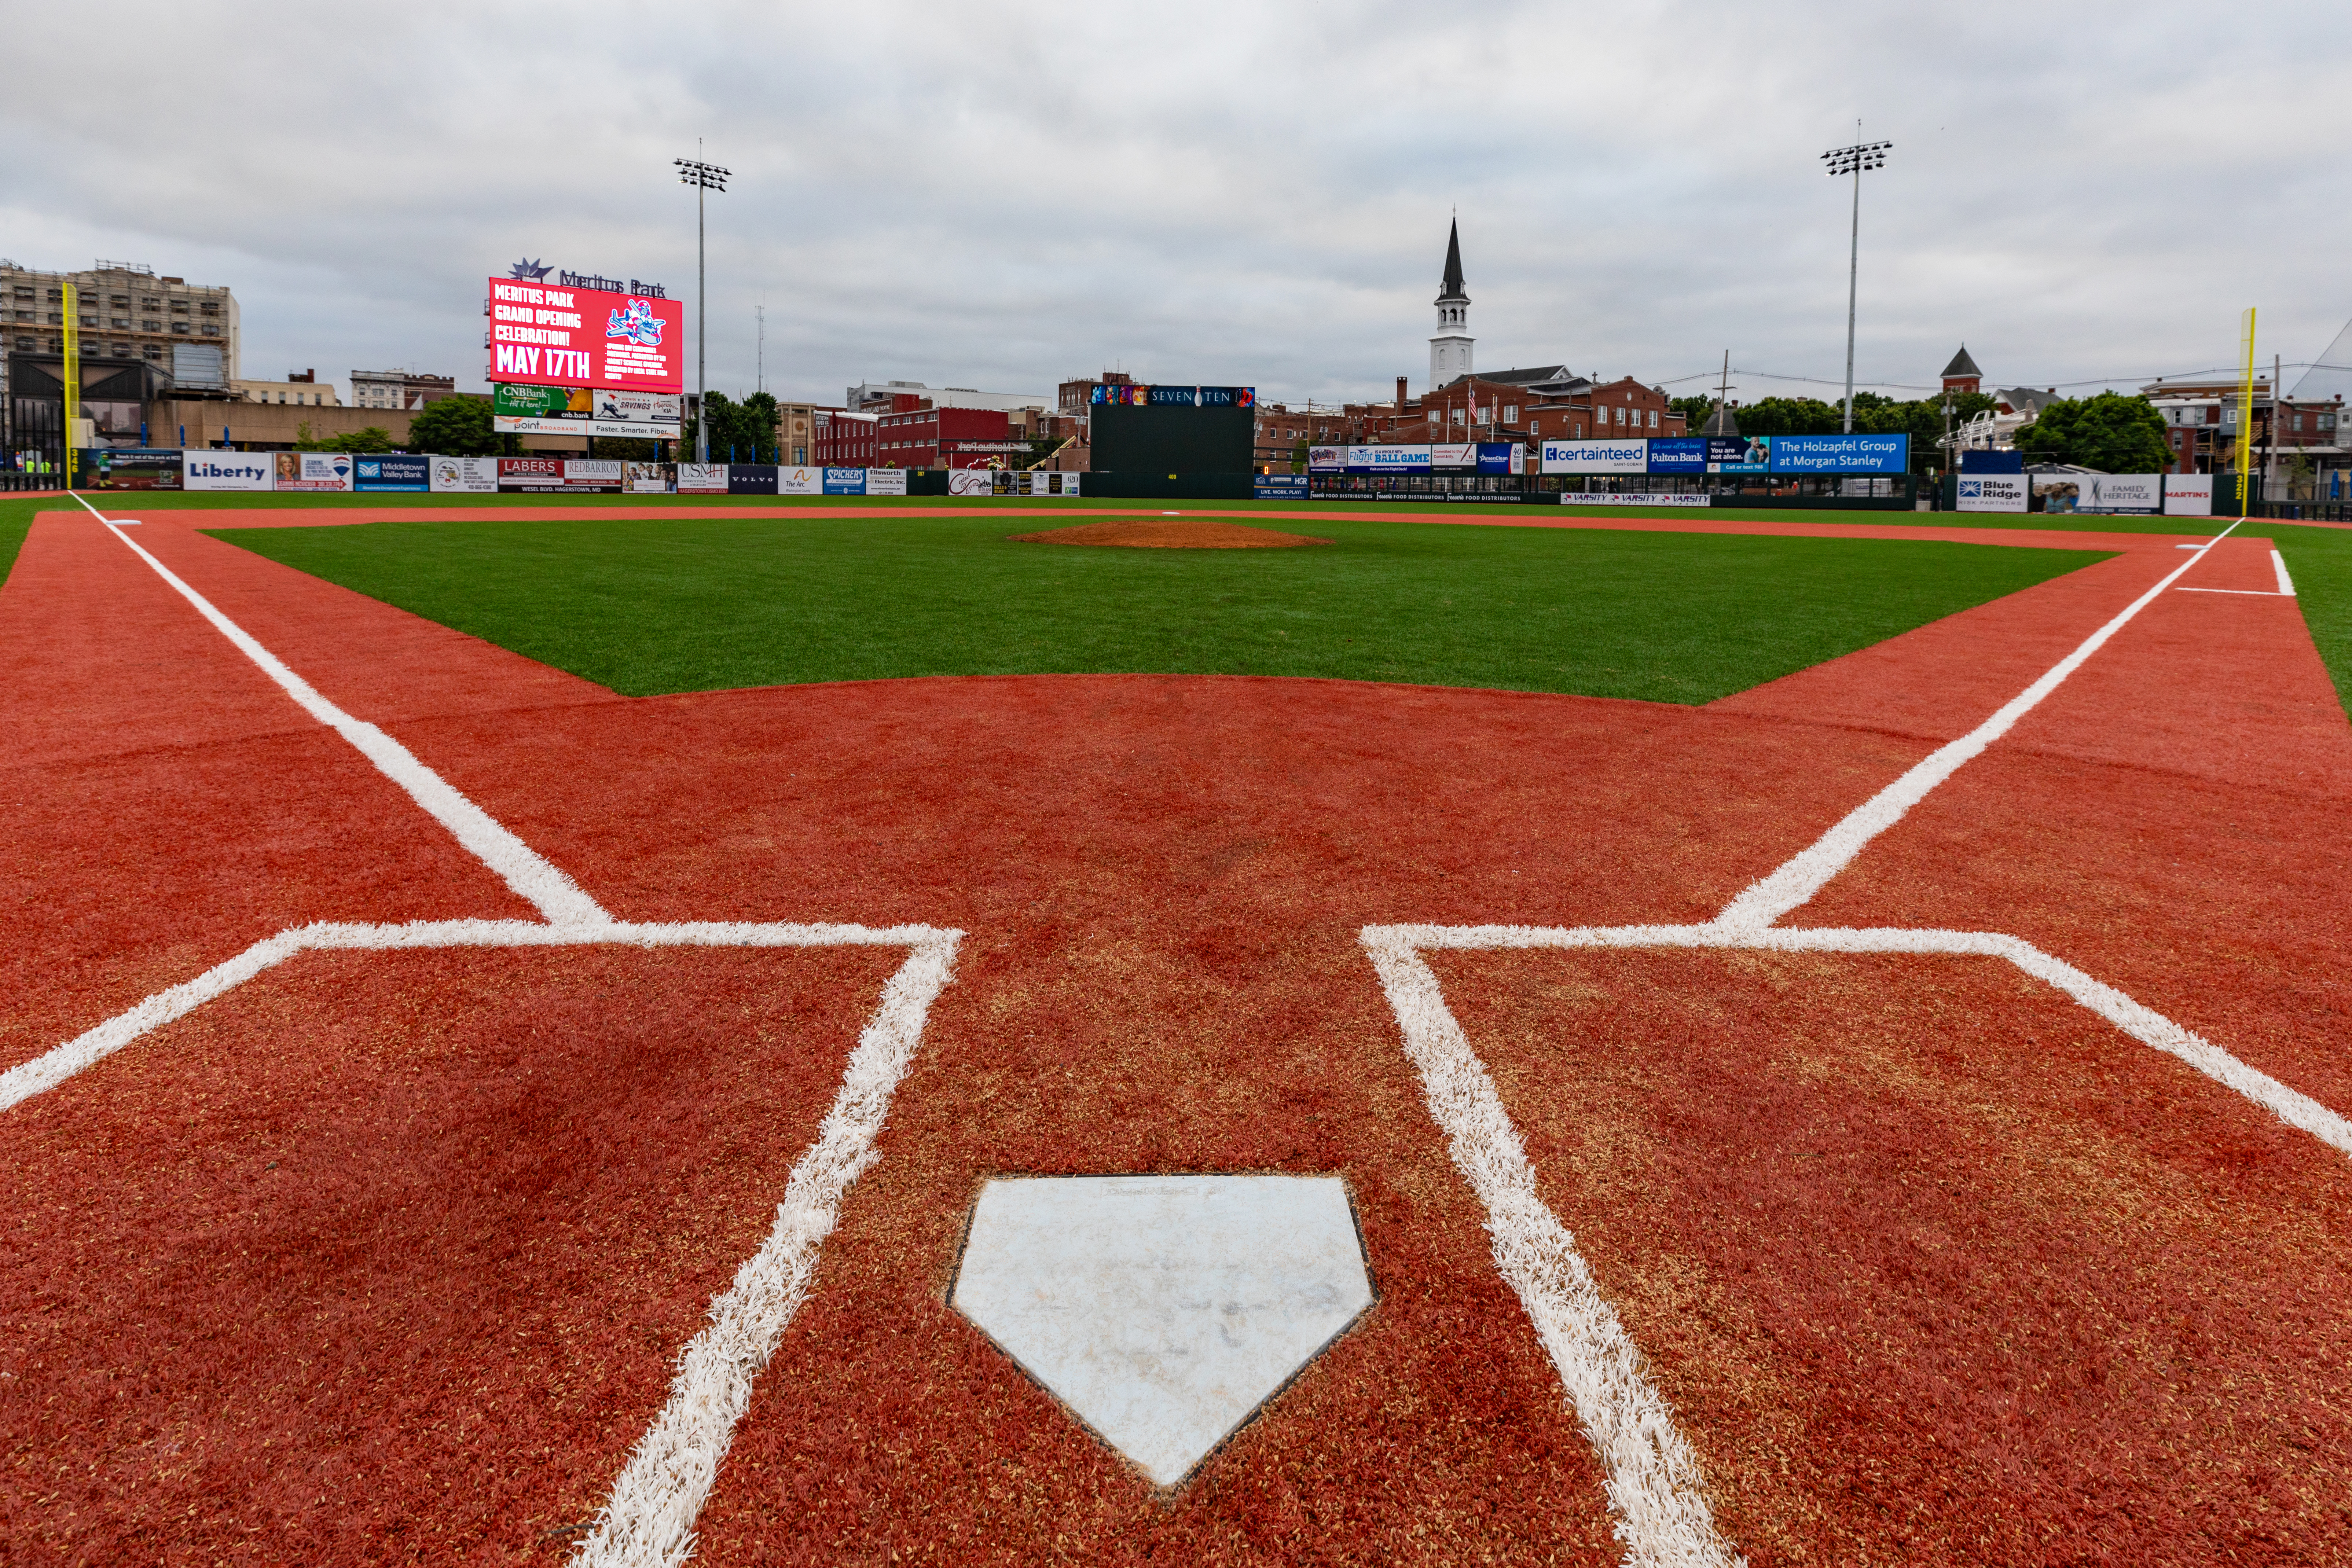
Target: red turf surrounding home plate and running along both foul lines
pixel 2019 1289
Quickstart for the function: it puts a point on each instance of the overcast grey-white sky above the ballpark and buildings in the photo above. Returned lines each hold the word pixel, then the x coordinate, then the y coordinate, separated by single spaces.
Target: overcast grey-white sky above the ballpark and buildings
pixel 1005 196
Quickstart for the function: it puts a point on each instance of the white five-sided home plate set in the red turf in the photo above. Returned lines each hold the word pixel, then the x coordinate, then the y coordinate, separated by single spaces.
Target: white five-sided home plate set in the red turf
pixel 1163 1308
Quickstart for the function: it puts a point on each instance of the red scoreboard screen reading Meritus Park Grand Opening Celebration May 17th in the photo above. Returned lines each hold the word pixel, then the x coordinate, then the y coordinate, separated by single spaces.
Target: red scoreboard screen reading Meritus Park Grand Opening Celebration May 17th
pixel 587 337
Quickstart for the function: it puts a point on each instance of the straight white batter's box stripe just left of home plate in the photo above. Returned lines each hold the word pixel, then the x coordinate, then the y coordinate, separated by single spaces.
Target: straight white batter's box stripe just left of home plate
pixel 650 1515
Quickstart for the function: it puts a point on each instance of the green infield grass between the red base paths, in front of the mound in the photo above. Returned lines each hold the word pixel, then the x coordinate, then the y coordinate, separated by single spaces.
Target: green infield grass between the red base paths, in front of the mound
pixel 693 605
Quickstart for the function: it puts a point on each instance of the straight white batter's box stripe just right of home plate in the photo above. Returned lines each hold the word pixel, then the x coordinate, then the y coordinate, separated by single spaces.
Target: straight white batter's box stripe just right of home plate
pixel 1650 1470
